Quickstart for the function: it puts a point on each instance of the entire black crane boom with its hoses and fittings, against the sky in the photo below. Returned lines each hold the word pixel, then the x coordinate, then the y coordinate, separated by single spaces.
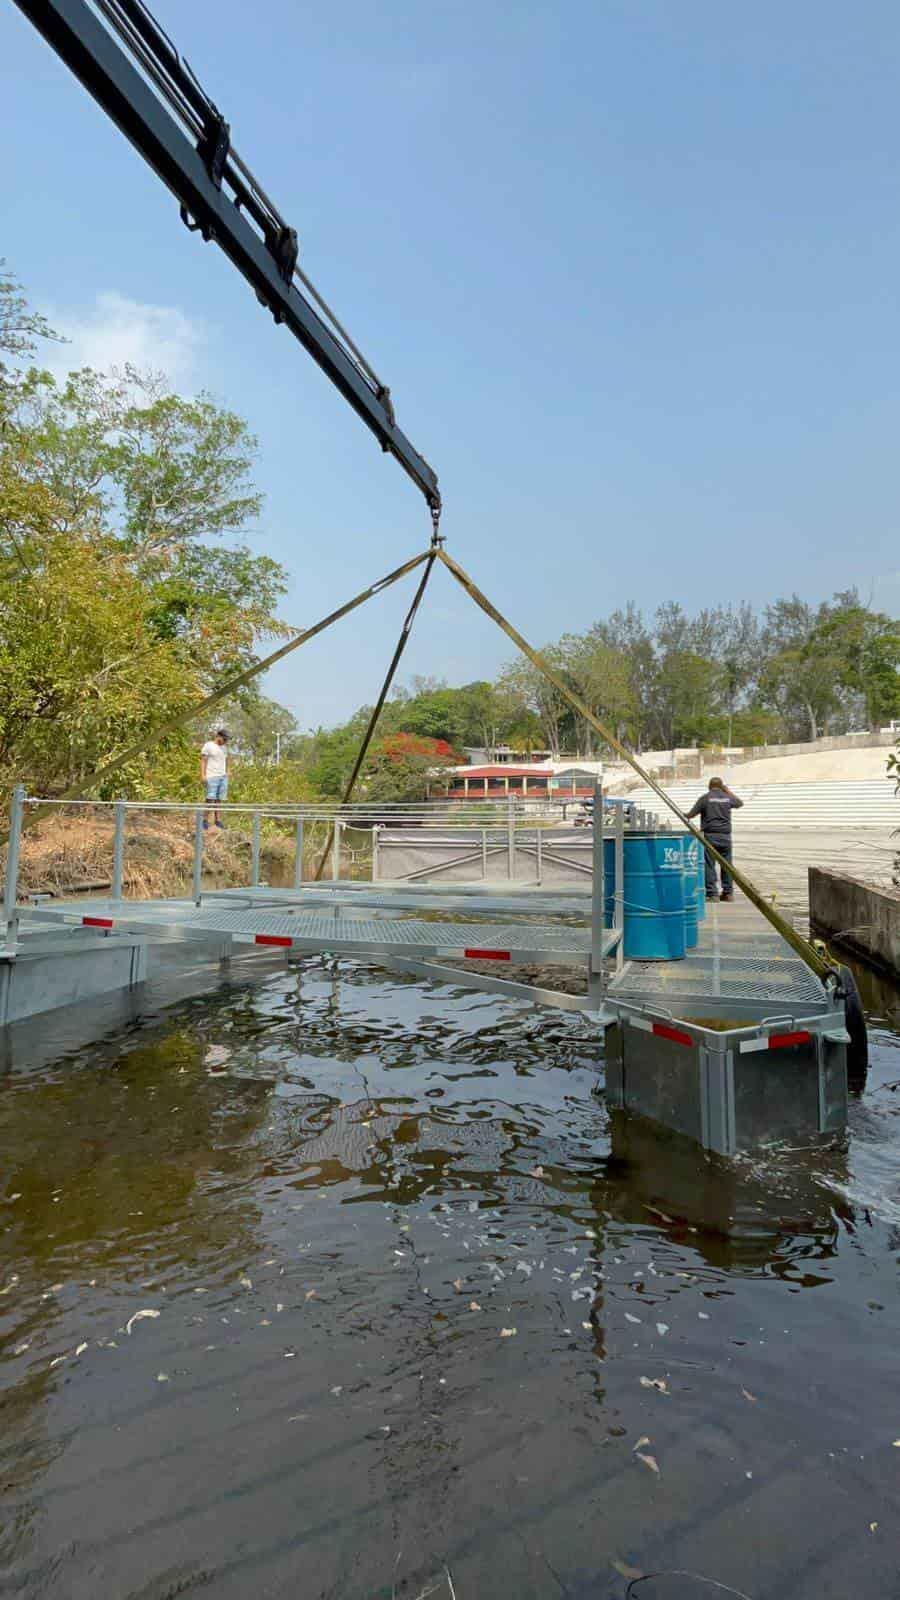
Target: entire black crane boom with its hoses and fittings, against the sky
pixel 265 255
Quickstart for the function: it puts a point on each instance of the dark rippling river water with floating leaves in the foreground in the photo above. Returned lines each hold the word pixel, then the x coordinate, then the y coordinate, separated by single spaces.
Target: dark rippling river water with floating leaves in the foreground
pixel 332 1284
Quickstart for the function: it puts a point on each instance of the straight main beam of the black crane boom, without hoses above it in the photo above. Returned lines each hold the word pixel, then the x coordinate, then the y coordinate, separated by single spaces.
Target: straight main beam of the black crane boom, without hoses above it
pixel 92 54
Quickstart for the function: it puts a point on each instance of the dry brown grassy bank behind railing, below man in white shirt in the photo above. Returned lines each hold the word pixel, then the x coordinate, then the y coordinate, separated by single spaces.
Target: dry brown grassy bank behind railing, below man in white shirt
pixel 71 854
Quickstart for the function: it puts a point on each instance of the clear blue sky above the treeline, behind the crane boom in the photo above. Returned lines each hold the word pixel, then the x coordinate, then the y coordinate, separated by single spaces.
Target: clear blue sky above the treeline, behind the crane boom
pixel 632 271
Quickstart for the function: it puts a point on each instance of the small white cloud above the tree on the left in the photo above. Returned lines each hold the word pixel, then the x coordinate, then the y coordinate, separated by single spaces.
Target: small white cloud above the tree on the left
pixel 118 332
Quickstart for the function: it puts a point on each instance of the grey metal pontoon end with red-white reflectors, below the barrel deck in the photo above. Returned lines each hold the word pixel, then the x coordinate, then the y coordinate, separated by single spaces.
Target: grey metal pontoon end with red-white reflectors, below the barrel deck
pixel 731 1089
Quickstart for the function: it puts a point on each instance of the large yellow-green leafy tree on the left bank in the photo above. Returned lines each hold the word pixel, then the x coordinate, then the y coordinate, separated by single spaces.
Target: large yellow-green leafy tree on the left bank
pixel 115 607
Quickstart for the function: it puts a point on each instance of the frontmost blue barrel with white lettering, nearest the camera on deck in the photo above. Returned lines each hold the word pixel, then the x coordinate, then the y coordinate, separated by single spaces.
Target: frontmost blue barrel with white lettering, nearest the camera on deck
pixel 654 898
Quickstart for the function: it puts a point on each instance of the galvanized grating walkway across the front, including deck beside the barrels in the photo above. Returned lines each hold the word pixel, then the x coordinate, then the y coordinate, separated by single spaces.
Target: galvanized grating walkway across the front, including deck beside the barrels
pixel 741 969
